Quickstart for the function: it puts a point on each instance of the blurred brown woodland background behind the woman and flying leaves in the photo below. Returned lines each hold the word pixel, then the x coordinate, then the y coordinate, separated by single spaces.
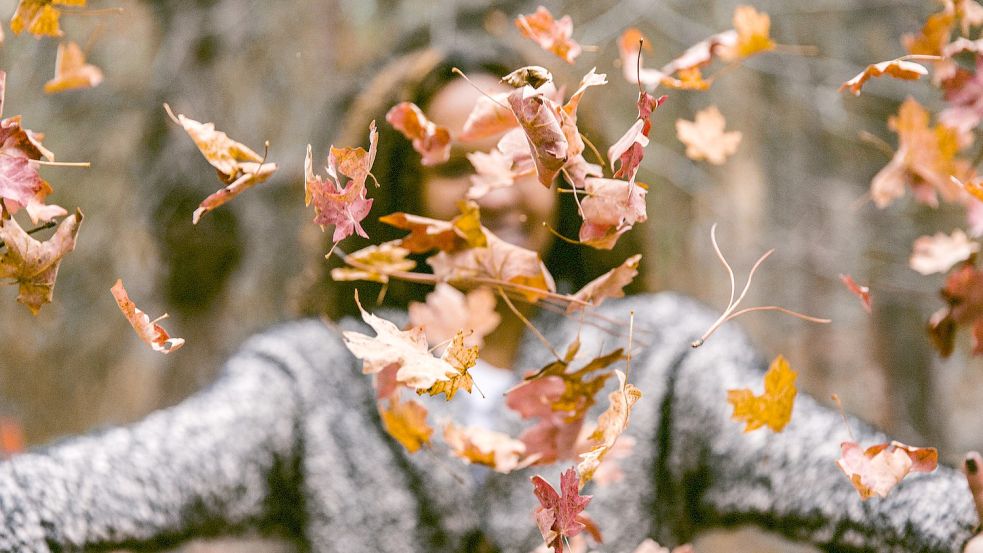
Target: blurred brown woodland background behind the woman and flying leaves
pixel 277 70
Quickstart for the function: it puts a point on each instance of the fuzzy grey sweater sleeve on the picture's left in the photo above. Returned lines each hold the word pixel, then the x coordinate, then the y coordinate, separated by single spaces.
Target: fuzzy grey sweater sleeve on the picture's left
pixel 219 460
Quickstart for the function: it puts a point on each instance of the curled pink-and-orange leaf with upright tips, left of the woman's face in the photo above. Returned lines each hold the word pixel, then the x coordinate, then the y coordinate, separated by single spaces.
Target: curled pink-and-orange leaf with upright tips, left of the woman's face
pixel 343 205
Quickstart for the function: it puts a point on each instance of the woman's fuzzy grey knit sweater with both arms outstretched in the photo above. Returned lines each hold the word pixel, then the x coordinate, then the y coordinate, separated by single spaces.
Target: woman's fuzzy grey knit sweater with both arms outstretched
pixel 289 437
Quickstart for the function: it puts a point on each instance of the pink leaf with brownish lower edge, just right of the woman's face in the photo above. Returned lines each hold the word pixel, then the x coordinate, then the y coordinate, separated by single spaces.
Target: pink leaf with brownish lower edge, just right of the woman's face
pixel 611 208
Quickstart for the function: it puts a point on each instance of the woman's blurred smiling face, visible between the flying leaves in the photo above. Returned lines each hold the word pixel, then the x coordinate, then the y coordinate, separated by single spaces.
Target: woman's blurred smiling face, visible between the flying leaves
pixel 515 213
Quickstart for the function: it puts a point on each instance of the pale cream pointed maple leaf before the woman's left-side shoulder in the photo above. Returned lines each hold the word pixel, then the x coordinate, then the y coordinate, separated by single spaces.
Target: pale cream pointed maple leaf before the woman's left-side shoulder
pixel 418 368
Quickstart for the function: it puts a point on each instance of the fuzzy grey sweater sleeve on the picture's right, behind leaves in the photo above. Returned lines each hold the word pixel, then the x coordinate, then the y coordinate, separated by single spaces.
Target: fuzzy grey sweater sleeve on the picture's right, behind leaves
pixel 789 481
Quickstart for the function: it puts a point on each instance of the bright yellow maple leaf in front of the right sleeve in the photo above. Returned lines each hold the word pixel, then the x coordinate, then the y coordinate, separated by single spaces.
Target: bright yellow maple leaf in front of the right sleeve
pixel 774 407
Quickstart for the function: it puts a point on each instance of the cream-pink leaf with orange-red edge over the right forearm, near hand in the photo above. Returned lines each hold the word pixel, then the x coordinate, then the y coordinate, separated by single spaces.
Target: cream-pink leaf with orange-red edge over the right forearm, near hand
pixel 876 470
